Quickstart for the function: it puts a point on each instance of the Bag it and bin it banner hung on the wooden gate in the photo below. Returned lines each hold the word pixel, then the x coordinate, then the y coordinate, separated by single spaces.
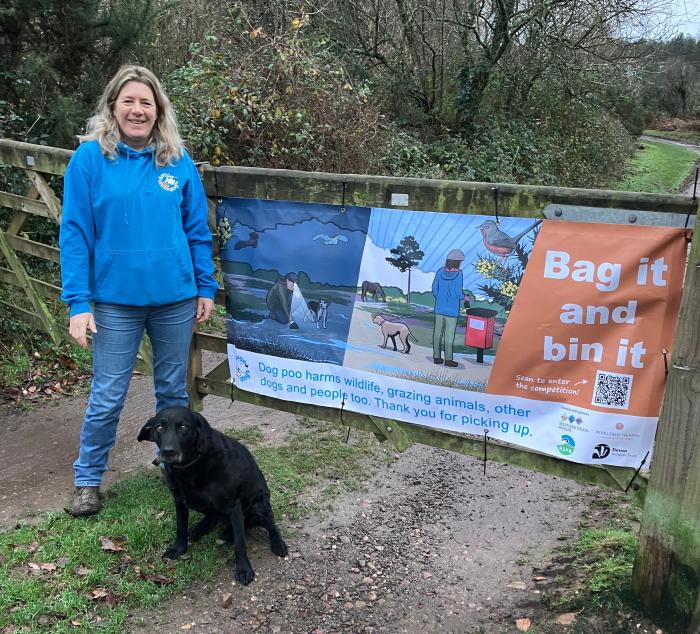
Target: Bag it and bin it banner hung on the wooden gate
pixel 549 335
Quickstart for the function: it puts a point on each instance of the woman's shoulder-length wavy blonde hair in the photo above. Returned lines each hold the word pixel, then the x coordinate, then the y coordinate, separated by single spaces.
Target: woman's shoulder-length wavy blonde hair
pixel 102 126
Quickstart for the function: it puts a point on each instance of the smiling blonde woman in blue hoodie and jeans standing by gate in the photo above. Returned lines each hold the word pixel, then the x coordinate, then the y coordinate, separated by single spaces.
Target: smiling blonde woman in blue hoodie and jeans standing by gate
pixel 135 256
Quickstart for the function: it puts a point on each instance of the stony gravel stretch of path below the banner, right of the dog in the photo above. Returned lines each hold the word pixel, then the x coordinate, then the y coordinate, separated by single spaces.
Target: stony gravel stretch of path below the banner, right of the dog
pixel 431 546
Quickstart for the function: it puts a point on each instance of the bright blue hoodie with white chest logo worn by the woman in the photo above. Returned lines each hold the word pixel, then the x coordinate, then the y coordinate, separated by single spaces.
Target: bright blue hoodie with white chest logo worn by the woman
pixel 133 233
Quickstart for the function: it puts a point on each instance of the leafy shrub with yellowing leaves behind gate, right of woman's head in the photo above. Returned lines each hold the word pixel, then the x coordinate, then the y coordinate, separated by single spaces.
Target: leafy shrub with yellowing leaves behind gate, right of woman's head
pixel 281 102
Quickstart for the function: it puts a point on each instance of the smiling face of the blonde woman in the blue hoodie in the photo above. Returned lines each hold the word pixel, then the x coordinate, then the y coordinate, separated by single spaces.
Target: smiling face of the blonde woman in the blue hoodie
pixel 135 111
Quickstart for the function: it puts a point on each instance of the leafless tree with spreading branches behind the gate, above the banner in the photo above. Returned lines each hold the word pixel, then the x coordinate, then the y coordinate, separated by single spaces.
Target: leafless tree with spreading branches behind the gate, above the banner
pixel 431 50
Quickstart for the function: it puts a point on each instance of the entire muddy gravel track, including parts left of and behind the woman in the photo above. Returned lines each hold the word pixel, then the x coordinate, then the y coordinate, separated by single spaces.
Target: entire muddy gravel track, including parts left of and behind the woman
pixel 431 544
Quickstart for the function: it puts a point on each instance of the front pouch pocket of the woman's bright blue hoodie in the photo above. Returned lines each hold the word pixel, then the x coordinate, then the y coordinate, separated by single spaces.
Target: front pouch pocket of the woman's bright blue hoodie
pixel 146 278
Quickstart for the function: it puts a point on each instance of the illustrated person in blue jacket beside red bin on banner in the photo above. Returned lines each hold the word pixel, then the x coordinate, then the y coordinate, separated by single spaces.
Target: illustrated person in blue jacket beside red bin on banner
pixel 448 293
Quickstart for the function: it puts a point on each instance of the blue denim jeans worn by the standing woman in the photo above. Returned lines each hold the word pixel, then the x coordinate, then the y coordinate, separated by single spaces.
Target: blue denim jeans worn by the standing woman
pixel 114 349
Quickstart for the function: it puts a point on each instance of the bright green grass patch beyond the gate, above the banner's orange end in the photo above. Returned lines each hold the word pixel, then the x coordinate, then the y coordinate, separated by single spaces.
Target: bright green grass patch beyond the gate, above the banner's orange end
pixel 658 168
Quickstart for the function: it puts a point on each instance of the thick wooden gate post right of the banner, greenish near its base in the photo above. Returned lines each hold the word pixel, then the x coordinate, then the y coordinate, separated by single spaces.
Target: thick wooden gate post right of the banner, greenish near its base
pixel 666 574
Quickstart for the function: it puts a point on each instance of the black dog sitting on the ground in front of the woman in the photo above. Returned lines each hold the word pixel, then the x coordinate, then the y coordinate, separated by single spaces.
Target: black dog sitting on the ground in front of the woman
pixel 215 475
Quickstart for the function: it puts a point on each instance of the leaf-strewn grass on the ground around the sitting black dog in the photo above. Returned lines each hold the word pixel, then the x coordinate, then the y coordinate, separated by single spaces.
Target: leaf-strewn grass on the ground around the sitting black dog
pixel 55 576
